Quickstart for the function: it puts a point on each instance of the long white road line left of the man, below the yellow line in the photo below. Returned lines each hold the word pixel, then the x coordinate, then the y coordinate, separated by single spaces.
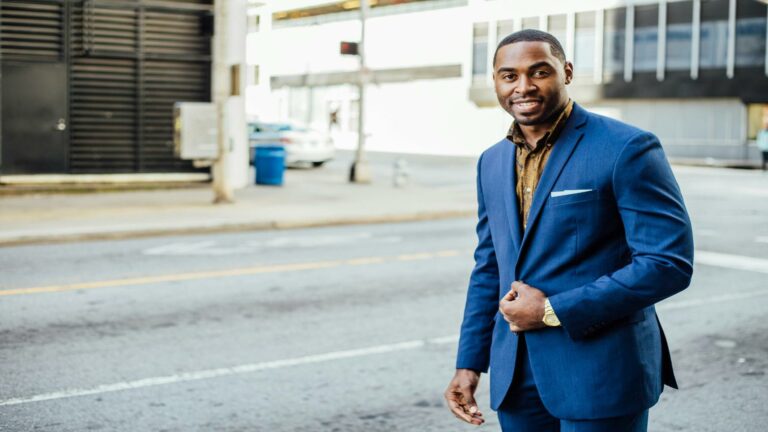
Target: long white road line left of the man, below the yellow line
pixel 228 371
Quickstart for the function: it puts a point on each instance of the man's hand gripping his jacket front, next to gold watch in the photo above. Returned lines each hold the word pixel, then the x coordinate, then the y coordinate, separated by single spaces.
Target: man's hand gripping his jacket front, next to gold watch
pixel 523 307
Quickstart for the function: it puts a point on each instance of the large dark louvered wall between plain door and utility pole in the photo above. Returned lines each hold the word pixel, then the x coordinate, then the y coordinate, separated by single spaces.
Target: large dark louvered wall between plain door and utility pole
pixel 131 61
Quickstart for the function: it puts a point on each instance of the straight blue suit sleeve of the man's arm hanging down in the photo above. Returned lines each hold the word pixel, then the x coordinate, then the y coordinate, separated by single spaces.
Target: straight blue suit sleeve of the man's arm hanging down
pixel 482 296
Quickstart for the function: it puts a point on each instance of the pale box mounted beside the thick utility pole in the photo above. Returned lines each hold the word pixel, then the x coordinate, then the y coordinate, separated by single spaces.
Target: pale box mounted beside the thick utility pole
pixel 194 131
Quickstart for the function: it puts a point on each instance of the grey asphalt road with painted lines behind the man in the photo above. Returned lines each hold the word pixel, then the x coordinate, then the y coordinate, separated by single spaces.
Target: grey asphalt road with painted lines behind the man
pixel 336 329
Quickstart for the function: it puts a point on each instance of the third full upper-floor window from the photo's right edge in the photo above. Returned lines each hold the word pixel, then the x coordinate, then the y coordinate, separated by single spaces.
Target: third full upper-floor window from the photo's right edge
pixel 679 35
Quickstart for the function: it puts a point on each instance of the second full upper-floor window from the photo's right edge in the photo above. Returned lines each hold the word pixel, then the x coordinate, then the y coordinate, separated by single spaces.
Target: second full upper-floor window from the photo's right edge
pixel 714 34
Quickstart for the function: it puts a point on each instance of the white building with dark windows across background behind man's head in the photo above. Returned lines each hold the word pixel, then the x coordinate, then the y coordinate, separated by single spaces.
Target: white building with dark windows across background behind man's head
pixel 693 72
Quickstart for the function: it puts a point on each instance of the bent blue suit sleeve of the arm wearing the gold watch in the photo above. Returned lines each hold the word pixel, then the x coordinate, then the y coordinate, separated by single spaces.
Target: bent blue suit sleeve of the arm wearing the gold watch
pixel 658 233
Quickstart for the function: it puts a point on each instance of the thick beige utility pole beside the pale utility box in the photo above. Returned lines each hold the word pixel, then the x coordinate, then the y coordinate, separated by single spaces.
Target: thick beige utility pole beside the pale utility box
pixel 222 188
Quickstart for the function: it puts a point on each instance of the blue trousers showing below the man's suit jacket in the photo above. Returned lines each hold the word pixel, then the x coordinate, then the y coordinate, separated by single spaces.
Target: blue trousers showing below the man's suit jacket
pixel 523 411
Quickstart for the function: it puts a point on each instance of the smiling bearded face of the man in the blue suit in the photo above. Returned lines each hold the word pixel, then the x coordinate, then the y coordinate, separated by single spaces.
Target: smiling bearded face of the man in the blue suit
pixel 530 82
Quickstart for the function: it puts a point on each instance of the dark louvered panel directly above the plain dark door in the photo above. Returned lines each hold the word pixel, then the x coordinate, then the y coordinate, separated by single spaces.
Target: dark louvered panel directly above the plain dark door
pixel 31 30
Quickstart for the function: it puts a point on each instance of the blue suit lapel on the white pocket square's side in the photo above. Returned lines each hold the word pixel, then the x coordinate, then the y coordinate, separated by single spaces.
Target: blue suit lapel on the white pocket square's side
pixel 561 152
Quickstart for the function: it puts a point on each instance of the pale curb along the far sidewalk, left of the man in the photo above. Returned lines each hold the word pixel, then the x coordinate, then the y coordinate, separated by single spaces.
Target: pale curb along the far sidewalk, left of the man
pixel 233 227
